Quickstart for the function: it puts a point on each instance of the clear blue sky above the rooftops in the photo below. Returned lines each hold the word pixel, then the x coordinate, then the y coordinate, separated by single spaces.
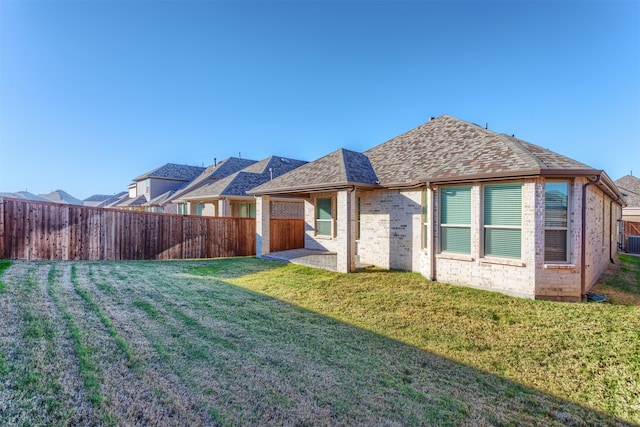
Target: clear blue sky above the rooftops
pixel 95 93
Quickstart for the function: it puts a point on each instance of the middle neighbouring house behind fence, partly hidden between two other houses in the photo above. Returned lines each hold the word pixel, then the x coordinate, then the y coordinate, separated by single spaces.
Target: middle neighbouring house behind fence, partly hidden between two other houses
pixel 165 202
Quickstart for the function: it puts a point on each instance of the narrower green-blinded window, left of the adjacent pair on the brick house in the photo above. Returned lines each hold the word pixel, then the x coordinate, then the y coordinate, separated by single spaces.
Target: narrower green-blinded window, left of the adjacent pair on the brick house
pixel 455 219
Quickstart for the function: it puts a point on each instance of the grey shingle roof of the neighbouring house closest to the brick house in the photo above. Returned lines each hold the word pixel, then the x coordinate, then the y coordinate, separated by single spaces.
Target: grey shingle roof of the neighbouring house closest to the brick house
pixel 239 183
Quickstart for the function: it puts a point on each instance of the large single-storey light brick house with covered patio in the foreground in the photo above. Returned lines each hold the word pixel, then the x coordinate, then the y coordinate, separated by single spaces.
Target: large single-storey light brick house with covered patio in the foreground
pixel 459 204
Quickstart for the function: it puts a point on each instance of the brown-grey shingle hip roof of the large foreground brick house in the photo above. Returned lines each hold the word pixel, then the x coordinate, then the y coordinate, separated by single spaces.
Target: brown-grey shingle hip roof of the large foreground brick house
pixel 445 149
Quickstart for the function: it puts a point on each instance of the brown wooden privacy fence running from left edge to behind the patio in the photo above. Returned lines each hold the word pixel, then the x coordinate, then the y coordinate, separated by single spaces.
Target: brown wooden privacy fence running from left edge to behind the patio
pixel 40 230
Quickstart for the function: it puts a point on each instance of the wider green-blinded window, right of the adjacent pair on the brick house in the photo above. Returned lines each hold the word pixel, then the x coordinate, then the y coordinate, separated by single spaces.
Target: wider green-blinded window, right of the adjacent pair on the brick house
pixel 503 220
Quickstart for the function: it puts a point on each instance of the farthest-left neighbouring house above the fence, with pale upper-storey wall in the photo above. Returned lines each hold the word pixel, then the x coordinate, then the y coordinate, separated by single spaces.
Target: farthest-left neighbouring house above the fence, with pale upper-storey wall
pixel 157 182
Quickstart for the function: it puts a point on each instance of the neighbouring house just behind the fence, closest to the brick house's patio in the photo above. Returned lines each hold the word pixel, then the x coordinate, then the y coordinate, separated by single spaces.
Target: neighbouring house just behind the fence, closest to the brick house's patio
pixel 228 196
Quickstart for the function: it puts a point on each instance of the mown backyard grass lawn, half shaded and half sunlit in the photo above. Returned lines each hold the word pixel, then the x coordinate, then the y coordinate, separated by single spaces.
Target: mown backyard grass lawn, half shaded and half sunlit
pixel 250 342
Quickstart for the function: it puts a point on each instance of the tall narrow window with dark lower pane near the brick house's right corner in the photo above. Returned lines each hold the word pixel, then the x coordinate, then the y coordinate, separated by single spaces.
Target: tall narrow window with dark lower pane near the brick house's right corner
pixel 556 221
